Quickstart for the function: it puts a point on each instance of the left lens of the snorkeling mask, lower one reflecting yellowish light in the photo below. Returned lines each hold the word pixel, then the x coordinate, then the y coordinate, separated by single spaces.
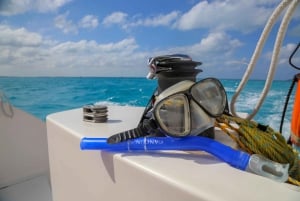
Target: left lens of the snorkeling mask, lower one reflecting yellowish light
pixel 173 115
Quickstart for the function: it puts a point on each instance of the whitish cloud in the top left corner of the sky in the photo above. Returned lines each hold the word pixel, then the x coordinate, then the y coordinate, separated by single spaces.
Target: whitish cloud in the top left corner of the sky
pixel 13 7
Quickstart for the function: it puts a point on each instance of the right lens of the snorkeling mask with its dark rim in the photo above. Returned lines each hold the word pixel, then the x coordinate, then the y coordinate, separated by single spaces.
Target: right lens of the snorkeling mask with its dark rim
pixel 210 94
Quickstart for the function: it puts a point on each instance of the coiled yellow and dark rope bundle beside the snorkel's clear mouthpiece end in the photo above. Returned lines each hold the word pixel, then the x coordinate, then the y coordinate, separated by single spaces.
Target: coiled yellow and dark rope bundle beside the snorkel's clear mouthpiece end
pixel 267 142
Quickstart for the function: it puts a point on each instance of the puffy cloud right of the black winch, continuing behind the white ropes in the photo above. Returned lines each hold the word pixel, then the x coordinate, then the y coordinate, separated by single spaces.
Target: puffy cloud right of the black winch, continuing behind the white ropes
pixel 218 52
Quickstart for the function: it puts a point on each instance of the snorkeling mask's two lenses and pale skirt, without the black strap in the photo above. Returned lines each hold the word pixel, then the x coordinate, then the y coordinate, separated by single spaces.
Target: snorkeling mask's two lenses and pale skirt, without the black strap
pixel 188 108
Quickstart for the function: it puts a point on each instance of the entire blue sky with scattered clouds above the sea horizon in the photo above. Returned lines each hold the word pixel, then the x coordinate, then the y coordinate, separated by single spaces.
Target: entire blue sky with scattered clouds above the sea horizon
pixel 115 38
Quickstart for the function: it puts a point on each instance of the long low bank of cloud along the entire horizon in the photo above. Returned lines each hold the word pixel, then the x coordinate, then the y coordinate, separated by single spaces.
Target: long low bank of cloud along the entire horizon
pixel 27 53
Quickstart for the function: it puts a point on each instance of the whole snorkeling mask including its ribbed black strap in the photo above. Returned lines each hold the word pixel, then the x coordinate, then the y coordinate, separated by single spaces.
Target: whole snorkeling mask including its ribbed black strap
pixel 186 108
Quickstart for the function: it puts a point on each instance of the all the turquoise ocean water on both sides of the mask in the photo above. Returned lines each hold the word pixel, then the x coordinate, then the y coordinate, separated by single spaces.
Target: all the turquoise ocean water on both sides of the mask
pixel 41 96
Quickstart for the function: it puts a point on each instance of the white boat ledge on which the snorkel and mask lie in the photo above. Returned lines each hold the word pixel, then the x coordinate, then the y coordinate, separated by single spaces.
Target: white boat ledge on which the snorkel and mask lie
pixel 99 175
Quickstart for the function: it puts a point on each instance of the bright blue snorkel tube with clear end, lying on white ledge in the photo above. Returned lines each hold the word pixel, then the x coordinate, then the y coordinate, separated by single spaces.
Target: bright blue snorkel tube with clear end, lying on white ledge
pixel 238 159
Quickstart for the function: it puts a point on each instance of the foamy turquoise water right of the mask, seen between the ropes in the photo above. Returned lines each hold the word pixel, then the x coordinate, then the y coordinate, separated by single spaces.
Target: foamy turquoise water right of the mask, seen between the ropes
pixel 271 111
